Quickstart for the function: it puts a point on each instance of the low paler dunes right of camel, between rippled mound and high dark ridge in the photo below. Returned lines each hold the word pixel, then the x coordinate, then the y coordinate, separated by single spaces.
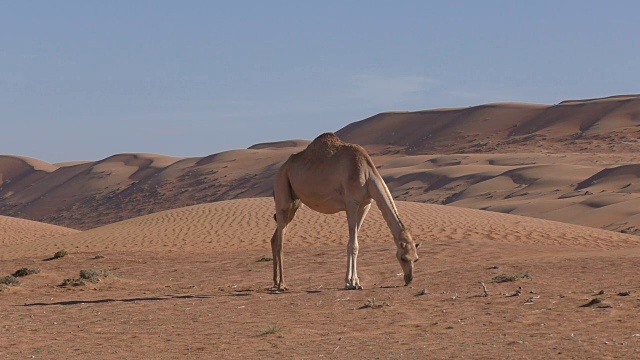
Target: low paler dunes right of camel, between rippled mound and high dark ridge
pixel 550 186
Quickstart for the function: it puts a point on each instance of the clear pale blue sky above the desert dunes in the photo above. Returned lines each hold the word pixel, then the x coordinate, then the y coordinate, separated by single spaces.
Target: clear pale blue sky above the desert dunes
pixel 82 80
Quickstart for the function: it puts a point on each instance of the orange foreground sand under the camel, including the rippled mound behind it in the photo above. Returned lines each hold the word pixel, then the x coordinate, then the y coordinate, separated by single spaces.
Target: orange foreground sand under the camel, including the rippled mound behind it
pixel 188 283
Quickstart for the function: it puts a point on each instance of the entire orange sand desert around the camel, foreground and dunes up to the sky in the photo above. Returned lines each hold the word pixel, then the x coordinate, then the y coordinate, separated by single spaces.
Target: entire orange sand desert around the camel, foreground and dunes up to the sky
pixel 543 195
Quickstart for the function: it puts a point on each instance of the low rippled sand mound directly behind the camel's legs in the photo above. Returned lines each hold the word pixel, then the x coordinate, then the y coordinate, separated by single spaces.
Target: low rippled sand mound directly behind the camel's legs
pixel 246 224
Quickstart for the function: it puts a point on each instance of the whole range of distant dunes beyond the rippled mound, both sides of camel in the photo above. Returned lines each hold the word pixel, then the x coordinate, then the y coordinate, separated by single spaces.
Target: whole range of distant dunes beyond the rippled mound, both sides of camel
pixel 555 162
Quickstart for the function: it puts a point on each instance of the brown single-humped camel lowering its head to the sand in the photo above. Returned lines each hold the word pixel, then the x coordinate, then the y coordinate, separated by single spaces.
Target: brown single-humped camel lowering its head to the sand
pixel 330 176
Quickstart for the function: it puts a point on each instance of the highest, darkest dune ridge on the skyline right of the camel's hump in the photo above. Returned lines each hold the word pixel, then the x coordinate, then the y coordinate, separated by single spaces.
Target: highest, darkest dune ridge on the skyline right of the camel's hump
pixel 598 125
